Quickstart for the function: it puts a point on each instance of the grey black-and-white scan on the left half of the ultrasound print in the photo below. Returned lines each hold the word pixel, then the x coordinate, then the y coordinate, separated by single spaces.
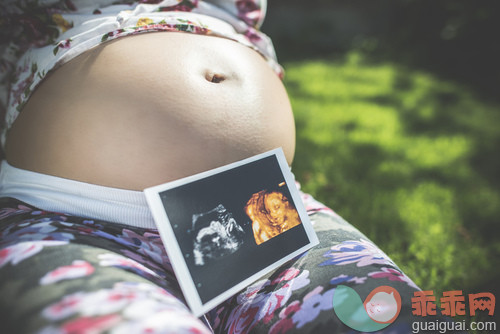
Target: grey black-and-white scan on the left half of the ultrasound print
pixel 215 234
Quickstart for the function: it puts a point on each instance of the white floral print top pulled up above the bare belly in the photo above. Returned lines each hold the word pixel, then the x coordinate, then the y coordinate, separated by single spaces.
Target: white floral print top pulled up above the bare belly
pixel 37 36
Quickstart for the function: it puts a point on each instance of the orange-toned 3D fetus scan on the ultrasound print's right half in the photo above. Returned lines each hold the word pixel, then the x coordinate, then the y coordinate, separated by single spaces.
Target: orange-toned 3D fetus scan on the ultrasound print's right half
pixel 271 214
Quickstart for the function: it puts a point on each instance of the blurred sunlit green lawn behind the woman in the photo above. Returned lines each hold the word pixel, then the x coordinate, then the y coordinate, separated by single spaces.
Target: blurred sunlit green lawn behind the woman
pixel 409 159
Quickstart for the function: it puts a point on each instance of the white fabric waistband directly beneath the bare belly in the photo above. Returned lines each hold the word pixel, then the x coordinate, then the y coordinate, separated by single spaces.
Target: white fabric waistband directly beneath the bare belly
pixel 51 193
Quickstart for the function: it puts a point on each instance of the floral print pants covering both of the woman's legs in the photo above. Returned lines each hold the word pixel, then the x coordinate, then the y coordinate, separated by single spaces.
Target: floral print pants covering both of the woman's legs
pixel 65 274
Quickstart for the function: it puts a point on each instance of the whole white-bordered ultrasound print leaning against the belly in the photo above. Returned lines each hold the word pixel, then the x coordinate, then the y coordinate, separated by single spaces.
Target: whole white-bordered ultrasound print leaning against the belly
pixel 225 228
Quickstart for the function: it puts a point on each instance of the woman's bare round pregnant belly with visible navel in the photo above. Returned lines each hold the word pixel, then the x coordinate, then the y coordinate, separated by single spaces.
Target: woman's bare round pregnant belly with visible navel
pixel 152 108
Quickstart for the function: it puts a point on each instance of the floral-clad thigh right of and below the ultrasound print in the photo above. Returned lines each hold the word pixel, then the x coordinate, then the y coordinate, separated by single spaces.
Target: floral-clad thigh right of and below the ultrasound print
pixel 298 297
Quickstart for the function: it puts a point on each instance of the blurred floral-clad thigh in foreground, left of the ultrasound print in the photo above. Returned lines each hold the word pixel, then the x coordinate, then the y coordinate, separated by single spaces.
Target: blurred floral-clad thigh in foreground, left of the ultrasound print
pixel 60 274
